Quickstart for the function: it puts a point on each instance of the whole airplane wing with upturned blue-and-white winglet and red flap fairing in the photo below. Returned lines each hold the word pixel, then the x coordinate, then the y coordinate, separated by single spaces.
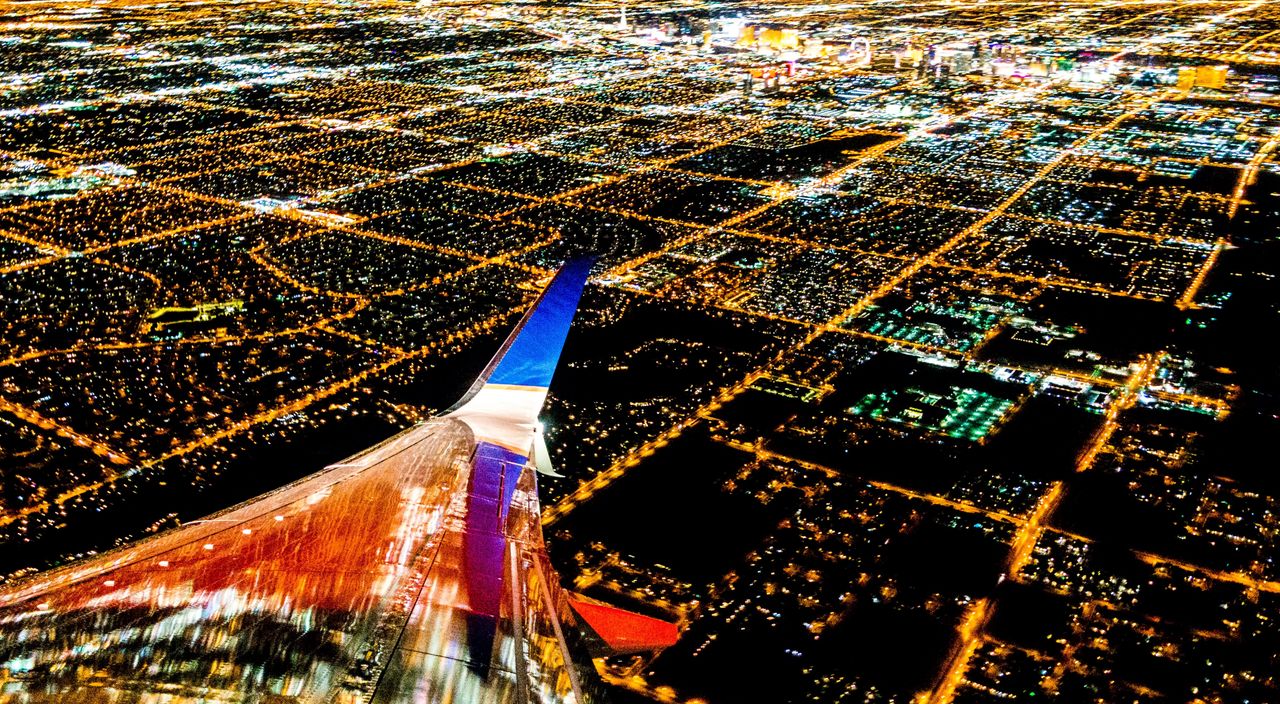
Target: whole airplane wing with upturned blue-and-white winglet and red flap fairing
pixel 412 573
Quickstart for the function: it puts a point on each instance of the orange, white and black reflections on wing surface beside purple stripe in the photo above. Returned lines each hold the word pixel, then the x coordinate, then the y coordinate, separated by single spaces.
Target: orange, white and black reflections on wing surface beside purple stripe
pixel 345 587
